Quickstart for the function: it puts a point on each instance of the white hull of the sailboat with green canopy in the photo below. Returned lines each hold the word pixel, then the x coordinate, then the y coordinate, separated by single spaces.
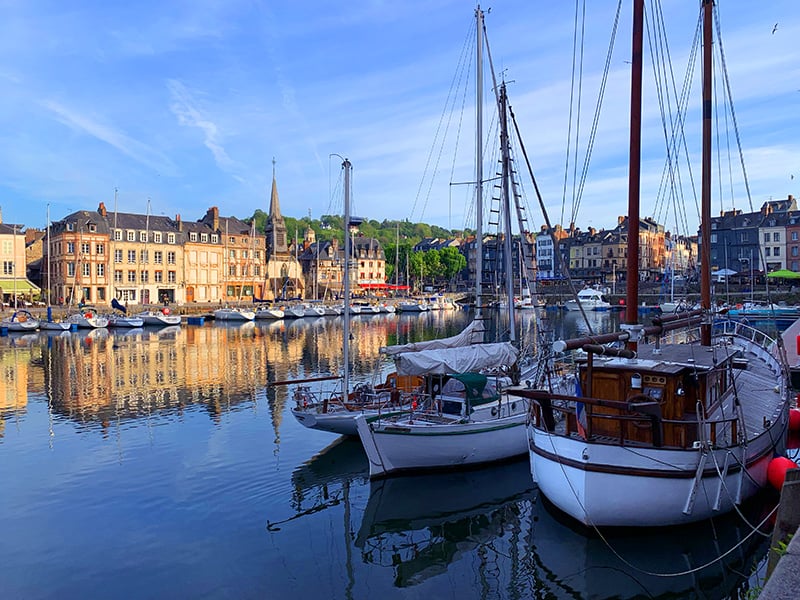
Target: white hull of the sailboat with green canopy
pixel 398 447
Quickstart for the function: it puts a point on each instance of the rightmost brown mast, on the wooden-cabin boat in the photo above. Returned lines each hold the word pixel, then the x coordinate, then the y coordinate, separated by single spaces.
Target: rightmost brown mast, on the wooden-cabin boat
pixel 705 205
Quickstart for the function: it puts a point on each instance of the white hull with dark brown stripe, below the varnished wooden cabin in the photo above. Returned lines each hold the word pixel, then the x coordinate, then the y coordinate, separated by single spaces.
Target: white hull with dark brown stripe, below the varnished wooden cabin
pixel 605 486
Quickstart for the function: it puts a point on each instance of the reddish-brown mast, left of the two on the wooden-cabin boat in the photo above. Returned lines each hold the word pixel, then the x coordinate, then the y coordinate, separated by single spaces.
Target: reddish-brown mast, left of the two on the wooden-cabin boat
pixel 634 175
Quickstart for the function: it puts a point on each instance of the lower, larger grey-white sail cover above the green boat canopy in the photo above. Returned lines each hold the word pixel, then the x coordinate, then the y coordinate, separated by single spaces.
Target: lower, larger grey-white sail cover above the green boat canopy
pixel 456 360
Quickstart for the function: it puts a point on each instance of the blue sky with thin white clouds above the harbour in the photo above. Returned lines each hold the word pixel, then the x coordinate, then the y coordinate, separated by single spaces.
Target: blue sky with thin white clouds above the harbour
pixel 187 103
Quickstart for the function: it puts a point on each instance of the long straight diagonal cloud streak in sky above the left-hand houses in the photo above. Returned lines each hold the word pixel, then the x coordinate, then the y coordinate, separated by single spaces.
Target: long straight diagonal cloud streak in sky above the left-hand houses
pixel 138 151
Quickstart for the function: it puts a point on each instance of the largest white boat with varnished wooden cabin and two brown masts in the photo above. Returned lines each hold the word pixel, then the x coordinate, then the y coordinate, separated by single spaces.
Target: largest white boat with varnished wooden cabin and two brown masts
pixel 665 430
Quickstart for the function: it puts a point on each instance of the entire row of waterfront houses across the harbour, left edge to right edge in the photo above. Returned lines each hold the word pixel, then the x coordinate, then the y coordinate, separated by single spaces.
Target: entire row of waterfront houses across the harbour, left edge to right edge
pixel 92 256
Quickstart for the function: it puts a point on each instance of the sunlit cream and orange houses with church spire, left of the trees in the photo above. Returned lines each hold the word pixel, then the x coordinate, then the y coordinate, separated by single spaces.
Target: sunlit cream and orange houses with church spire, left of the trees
pixel 92 256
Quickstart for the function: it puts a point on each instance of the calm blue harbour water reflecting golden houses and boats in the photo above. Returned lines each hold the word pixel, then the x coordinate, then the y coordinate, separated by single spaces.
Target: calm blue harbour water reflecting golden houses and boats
pixel 158 464
